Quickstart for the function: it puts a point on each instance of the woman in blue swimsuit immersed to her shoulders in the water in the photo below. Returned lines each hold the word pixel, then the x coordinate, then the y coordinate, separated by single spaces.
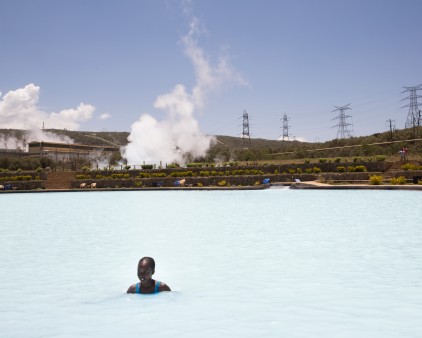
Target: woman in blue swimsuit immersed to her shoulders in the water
pixel 146 268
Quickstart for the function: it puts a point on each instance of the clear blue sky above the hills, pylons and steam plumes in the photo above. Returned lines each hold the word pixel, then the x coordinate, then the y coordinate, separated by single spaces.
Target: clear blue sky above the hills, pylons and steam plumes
pixel 298 57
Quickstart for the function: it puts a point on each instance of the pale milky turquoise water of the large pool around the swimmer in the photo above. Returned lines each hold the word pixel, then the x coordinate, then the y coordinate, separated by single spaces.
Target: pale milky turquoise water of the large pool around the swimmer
pixel 272 263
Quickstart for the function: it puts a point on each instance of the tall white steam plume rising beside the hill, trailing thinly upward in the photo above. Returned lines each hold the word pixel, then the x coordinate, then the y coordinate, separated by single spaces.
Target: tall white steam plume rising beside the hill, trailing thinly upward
pixel 179 133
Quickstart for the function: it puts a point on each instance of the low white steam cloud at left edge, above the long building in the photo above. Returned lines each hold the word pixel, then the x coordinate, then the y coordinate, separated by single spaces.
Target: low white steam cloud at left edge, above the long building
pixel 19 110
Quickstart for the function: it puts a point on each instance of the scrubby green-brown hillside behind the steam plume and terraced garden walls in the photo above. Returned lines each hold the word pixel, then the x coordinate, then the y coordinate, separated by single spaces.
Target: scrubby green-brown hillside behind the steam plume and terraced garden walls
pixel 229 148
